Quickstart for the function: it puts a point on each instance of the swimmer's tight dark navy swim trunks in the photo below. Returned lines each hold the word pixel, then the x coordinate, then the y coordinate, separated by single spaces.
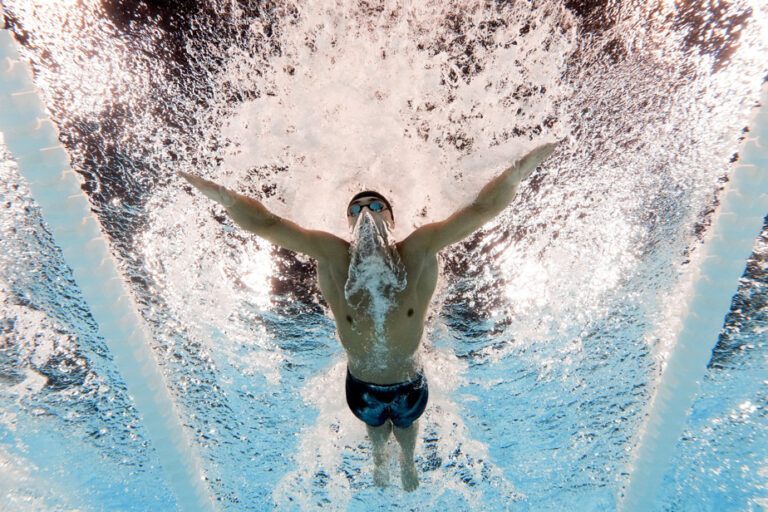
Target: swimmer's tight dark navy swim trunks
pixel 374 404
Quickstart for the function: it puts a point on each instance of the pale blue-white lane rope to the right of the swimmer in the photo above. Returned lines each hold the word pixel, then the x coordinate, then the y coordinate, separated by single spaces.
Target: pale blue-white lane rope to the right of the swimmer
pixel 731 239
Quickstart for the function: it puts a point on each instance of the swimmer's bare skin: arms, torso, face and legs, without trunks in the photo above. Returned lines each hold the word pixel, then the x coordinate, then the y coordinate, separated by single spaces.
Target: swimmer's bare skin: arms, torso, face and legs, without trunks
pixel 404 324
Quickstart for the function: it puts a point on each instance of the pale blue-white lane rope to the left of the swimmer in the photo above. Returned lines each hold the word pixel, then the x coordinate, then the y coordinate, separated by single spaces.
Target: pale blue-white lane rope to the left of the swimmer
pixel 32 139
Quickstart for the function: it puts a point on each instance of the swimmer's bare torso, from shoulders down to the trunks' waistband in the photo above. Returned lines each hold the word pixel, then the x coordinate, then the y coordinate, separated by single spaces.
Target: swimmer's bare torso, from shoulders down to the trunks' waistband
pixel 392 359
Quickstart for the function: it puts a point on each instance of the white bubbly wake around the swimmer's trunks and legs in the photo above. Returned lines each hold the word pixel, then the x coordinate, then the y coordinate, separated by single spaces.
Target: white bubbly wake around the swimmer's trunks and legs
pixel 334 465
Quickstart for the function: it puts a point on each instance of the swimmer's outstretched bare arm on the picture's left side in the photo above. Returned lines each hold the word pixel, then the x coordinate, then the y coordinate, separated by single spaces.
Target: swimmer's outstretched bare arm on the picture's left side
pixel 250 214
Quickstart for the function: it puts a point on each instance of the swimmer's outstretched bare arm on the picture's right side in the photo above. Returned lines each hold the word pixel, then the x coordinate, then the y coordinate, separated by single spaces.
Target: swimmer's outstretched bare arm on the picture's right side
pixel 491 201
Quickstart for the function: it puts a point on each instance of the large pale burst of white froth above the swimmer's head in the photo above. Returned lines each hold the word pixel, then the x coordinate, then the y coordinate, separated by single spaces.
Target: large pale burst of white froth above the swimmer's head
pixel 376 97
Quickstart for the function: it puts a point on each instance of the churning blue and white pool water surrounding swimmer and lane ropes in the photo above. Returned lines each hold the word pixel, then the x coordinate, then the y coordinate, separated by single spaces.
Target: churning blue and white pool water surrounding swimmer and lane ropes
pixel 550 327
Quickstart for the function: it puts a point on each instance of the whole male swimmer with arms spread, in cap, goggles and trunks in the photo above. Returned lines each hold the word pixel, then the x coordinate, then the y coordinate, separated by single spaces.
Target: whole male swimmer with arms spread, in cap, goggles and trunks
pixel 379 291
